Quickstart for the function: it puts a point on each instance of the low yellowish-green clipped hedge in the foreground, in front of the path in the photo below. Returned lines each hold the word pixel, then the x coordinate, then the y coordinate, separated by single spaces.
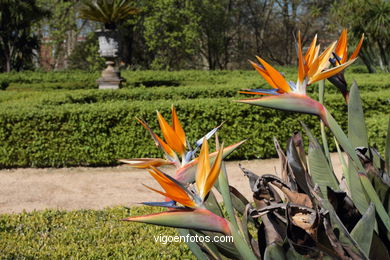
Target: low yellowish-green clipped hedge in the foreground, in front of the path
pixel 85 234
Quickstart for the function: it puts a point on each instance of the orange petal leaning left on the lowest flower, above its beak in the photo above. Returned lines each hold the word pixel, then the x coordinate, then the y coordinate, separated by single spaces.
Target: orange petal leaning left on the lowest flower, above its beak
pixel 173 190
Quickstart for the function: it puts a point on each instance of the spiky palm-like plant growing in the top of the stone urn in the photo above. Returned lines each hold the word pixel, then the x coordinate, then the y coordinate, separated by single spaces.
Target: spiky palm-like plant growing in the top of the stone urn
pixel 108 12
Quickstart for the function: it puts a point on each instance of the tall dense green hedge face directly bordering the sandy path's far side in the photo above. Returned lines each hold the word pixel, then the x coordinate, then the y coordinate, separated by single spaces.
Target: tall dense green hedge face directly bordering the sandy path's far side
pixel 42 135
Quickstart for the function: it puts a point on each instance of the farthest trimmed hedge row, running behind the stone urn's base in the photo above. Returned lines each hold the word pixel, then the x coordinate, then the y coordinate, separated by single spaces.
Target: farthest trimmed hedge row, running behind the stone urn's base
pixel 233 80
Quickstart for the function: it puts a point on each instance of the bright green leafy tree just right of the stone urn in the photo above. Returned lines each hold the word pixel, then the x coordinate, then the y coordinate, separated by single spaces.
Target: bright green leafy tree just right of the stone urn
pixel 171 31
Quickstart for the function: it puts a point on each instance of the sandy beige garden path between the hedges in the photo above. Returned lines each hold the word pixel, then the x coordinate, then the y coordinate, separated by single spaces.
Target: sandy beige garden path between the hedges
pixel 96 188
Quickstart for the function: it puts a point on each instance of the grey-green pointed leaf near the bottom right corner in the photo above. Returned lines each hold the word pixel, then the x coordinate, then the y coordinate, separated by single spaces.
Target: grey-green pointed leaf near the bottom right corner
pixel 364 229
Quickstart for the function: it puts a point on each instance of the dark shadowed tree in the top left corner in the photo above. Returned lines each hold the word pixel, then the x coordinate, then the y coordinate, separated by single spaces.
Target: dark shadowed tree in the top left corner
pixel 17 40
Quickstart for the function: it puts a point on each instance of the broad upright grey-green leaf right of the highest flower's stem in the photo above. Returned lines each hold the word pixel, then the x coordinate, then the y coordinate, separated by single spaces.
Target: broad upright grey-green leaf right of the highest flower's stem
pixel 357 131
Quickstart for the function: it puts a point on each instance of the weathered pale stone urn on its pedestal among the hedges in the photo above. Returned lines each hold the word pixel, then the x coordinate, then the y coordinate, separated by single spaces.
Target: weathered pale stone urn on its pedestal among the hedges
pixel 109 46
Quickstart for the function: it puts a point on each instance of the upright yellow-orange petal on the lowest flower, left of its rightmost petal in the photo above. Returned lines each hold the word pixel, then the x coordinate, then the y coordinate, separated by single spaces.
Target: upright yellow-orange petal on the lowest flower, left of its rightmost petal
pixel 203 167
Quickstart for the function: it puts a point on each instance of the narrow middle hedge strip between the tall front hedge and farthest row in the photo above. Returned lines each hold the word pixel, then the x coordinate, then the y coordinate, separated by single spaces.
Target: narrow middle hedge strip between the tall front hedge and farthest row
pixel 61 97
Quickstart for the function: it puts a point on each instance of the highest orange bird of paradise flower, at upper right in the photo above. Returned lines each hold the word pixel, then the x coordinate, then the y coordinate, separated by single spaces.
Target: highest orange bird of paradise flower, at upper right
pixel 312 67
